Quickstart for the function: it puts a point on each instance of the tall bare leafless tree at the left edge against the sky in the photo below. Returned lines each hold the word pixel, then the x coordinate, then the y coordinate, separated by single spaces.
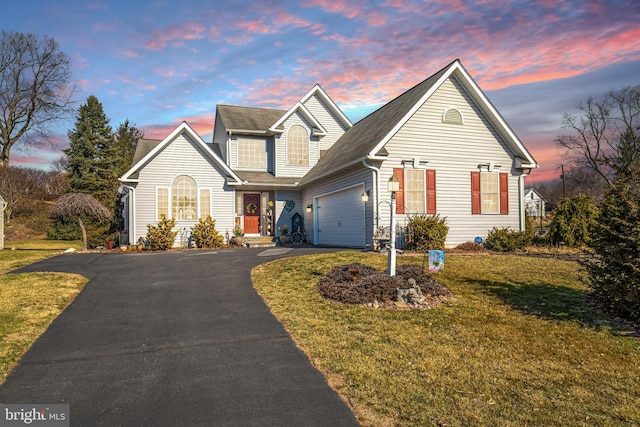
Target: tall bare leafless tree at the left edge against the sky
pixel 35 89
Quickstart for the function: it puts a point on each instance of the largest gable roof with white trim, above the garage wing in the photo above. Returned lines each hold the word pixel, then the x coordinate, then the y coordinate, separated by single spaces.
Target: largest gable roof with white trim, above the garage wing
pixel 367 138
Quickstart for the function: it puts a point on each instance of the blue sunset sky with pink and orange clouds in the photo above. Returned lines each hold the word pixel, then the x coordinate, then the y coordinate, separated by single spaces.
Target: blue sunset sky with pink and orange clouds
pixel 160 62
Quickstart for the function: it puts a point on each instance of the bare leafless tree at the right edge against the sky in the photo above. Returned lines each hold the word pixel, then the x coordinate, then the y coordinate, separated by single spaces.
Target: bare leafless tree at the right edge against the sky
pixel 605 134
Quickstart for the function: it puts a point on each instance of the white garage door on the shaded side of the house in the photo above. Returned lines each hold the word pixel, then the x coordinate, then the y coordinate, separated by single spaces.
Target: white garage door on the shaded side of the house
pixel 341 219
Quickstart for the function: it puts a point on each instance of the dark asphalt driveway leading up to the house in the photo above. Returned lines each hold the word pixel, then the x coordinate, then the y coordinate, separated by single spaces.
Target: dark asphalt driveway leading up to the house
pixel 177 338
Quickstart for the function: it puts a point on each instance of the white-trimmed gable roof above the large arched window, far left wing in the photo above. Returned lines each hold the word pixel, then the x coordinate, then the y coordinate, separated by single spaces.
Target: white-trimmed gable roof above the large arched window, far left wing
pixel 155 147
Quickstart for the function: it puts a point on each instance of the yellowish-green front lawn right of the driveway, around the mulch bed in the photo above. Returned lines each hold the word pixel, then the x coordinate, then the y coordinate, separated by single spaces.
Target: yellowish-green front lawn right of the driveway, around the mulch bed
pixel 520 345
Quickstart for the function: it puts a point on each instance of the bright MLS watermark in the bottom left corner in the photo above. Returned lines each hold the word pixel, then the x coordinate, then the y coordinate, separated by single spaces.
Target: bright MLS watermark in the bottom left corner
pixel 40 415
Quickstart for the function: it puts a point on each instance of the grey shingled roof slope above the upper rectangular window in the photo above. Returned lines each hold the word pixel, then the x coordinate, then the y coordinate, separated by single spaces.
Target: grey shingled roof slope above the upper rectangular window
pixel 248 120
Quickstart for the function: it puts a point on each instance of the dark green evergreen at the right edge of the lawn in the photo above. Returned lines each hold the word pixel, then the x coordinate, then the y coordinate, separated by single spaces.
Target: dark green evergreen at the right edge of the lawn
pixel 614 272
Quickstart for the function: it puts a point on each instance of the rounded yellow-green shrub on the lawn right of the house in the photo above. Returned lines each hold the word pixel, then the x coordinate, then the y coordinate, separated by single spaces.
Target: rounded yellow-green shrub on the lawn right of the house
pixel 573 220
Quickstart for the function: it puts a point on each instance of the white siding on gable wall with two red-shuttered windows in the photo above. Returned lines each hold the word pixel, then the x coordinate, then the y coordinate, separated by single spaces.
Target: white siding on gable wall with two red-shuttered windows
pixel 454 151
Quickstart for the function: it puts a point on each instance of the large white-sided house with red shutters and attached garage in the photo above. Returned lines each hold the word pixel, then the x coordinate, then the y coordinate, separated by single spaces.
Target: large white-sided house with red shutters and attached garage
pixel 451 150
